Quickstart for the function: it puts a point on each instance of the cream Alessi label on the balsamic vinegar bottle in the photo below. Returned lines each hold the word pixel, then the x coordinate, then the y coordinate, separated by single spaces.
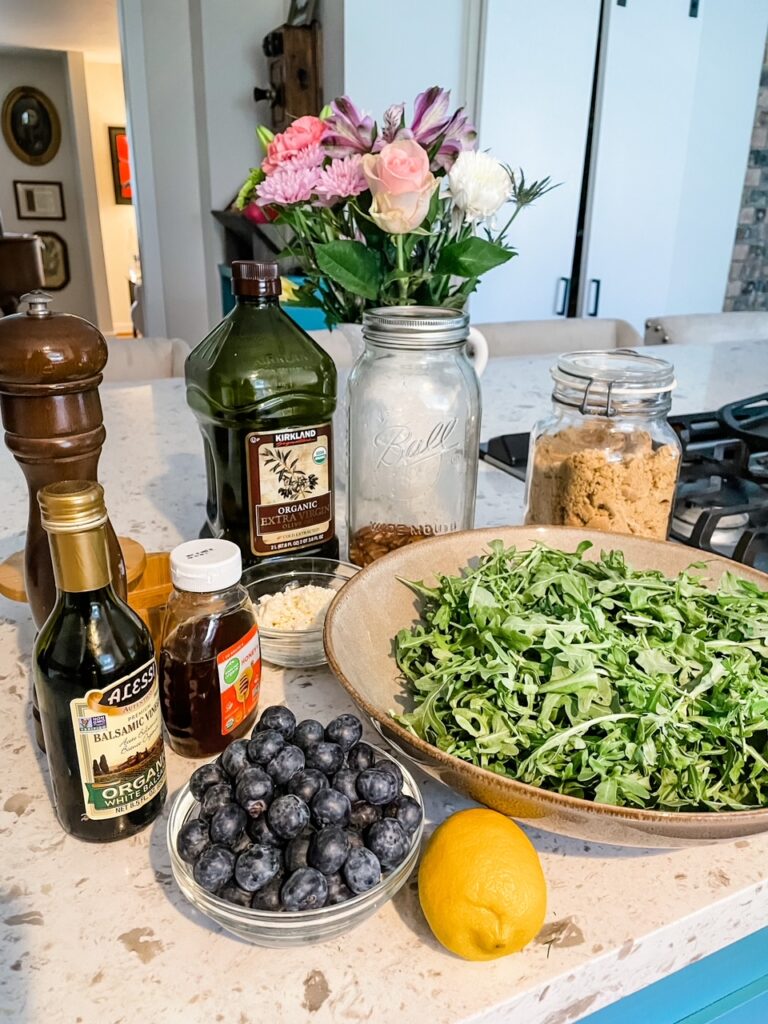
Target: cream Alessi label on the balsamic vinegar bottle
pixel 119 742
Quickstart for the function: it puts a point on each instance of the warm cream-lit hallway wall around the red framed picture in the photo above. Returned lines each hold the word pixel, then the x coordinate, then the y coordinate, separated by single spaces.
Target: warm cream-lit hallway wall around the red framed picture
pixel 107 108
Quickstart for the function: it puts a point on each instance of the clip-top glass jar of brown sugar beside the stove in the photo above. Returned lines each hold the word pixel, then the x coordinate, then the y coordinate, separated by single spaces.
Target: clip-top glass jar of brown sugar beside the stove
pixel 607 458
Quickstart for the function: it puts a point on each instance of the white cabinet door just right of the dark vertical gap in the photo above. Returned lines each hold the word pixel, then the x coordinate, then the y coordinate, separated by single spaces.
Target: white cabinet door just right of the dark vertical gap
pixel 646 105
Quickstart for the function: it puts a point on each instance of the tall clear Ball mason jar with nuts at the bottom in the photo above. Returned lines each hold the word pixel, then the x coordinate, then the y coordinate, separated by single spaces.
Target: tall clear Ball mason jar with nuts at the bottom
pixel 414 423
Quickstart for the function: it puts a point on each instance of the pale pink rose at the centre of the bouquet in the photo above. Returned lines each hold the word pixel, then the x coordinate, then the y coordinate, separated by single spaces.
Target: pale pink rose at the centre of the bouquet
pixel 402 186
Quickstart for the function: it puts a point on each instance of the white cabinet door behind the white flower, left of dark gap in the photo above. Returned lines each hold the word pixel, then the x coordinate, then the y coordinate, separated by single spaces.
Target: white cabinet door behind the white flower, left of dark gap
pixel 535 103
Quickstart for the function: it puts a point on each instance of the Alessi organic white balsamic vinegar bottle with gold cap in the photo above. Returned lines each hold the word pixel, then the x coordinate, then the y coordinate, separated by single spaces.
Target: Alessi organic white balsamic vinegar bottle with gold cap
pixel 97 680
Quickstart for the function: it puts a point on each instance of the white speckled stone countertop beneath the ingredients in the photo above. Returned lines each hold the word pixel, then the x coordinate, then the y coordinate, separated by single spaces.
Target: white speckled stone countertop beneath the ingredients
pixel 101 934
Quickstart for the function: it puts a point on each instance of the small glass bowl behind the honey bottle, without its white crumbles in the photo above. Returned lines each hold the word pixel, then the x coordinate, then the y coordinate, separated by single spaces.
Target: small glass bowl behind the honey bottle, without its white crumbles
pixel 295 649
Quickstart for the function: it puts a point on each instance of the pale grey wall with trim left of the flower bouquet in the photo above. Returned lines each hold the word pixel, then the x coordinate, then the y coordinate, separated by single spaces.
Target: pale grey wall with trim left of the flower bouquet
pixel 190 67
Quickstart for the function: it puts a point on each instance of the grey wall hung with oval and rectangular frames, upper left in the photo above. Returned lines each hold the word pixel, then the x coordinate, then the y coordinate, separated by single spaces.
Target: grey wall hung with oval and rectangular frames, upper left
pixel 48 71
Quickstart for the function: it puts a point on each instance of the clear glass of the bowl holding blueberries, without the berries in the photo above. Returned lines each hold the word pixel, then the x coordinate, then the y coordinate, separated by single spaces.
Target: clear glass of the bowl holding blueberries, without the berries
pixel 290 928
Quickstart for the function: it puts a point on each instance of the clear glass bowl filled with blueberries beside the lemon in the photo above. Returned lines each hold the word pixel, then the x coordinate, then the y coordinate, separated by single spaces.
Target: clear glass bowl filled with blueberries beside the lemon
pixel 296 835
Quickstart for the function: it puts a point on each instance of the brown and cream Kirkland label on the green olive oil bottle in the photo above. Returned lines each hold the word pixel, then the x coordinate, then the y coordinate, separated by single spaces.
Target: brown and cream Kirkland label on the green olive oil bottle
pixel 290 485
